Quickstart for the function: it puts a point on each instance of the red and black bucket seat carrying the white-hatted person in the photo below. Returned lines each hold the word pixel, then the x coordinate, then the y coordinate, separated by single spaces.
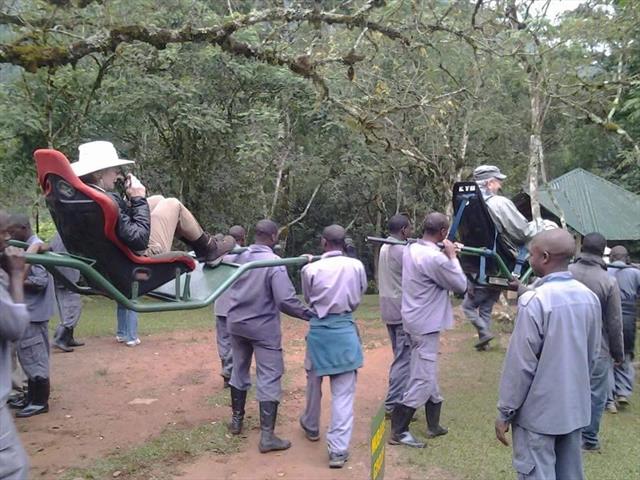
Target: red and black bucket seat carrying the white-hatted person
pixel 86 220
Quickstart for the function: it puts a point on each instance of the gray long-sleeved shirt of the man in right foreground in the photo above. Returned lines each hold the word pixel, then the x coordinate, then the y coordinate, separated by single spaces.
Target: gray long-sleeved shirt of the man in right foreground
pixel 545 384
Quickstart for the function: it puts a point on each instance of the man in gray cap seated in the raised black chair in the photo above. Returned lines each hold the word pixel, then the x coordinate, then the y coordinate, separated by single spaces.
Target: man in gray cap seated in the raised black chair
pixel 511 224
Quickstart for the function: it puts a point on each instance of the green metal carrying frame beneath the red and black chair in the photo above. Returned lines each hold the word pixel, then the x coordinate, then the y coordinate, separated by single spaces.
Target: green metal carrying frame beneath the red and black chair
pixel 217 279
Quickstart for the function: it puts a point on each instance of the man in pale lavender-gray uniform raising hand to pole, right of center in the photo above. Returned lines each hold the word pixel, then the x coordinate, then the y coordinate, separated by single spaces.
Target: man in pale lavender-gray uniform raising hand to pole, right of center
pixel 428 275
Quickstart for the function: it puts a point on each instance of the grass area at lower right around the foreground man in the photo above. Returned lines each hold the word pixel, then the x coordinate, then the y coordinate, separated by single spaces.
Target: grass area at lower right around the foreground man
pixel 469 382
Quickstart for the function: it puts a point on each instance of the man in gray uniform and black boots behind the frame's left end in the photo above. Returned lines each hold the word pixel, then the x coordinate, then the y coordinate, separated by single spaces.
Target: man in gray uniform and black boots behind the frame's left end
pixel 33 348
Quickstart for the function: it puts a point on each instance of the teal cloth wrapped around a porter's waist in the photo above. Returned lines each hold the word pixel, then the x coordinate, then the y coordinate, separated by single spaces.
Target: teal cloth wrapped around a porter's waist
pixel 333 344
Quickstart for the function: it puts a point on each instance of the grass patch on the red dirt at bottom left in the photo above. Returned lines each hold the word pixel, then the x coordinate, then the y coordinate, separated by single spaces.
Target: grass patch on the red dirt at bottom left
pixel 158 457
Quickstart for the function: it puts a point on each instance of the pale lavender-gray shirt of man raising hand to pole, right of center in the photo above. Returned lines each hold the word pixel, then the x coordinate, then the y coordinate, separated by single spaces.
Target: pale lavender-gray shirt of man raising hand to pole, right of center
pixel 427 276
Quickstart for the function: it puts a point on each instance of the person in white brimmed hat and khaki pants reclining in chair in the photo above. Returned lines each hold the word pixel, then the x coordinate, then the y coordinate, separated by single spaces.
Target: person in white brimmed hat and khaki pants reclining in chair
pixel 145 225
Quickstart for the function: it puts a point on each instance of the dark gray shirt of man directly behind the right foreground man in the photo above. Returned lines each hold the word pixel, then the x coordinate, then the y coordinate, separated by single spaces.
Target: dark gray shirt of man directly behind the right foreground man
pixel 591 270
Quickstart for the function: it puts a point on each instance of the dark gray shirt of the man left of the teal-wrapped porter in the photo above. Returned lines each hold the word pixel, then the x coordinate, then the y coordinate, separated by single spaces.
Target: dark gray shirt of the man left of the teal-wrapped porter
pixel 258 297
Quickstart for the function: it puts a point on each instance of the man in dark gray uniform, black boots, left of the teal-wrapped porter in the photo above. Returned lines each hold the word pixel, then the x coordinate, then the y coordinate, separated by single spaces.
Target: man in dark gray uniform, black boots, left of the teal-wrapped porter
pixel 253 320
